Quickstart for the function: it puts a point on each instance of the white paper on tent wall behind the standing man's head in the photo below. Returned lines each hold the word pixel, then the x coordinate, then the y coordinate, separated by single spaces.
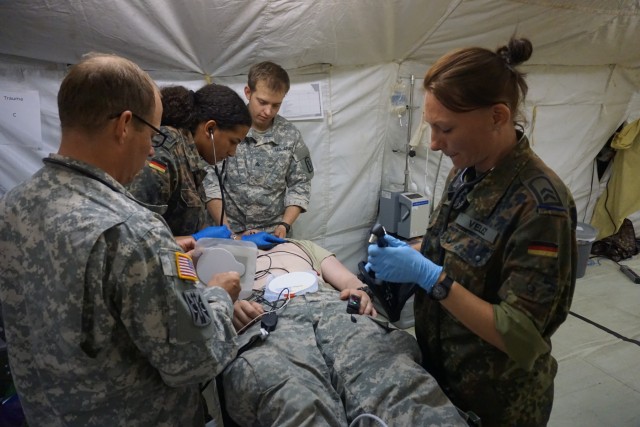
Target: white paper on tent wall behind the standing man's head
pixel 303 102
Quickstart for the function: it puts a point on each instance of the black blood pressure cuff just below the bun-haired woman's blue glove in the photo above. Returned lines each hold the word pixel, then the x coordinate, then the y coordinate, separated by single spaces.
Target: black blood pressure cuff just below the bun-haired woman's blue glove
pixel 391 296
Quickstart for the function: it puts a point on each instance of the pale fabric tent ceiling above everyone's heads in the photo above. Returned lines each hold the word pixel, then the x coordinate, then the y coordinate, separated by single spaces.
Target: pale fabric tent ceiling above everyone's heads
pixel 224 37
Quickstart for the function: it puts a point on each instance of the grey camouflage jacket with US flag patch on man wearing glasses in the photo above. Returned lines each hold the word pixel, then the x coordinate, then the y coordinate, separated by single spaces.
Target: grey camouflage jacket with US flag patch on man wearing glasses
pixel 100 328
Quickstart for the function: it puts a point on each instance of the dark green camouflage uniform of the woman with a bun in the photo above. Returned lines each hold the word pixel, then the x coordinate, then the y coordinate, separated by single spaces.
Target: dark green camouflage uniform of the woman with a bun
pixel 513 244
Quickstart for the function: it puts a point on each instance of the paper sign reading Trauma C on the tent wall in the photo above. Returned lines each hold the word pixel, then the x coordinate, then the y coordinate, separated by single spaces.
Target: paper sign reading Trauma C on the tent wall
pixel 20 119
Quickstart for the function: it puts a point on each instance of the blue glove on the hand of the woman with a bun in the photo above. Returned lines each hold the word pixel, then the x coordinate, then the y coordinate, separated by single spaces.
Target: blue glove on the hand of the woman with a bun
pixel 400 263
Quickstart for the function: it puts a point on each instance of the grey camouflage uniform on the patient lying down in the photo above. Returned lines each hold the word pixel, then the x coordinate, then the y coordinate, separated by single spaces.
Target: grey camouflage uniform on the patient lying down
pixel 318 368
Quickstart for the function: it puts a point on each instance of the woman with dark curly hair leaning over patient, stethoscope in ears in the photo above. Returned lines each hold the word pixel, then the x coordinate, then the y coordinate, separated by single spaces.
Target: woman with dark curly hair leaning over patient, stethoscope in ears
pixel 199 129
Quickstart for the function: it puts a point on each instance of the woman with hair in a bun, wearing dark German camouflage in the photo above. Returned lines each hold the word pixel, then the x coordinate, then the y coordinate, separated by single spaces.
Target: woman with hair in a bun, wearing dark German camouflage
pixel 497 269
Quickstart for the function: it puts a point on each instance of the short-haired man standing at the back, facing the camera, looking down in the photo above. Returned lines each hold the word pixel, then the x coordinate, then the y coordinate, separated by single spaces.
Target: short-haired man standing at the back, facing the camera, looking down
pixel 268 182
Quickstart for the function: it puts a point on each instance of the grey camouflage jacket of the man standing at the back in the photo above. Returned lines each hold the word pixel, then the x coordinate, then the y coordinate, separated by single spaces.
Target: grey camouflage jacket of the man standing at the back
pixel 269 172
